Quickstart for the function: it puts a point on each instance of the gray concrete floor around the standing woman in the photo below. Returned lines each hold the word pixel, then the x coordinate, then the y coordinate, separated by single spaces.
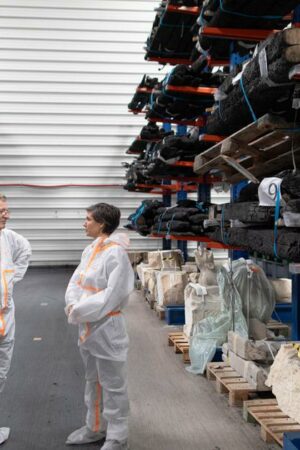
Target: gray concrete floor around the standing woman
pixel 43 400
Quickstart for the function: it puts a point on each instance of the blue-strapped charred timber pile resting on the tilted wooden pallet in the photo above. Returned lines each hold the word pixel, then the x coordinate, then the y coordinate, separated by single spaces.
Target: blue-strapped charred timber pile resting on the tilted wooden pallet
pixel 263 87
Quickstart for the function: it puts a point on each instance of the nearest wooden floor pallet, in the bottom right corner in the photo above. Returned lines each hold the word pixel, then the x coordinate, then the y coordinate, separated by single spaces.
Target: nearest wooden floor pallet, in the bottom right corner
pixel 273 421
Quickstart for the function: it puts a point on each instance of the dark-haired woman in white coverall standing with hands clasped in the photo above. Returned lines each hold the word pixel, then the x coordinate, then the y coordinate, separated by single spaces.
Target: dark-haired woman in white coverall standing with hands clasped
pixel 95 298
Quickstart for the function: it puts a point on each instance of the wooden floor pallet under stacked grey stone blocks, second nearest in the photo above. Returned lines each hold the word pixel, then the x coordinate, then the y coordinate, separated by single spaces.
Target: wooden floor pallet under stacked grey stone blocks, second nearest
pixel 227 380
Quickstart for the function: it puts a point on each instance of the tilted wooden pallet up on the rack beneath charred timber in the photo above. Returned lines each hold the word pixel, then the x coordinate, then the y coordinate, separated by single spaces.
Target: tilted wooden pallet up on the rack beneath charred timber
pixel 255 151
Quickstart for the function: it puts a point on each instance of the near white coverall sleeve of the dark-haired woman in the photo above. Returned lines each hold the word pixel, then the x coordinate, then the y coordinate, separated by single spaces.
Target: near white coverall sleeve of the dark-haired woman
pixel 120 284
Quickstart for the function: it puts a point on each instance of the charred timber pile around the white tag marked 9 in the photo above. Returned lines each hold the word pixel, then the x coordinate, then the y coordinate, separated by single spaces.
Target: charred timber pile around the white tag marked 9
pixel 252 226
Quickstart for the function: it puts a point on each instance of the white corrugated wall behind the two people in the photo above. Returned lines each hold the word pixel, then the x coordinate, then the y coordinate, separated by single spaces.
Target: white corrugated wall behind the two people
pixel 68 68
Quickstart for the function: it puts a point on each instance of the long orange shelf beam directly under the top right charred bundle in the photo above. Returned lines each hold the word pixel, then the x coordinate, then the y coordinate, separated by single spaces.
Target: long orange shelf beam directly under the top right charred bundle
pixel 237 33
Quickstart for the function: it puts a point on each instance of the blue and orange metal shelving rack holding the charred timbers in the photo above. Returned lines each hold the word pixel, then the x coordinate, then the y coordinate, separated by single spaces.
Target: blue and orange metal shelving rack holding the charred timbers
pixel 285 312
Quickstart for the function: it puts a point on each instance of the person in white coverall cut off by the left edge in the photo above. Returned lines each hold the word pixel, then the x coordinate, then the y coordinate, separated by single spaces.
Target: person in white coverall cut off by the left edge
pixel 14 258
